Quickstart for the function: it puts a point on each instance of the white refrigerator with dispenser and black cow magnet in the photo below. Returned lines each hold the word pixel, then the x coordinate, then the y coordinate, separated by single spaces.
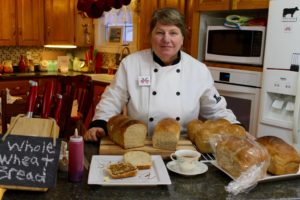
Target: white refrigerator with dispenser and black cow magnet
pixel 280 98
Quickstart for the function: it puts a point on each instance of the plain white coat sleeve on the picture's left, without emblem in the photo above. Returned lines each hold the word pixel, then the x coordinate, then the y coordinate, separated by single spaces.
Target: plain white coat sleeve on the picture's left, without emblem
pixel 114 98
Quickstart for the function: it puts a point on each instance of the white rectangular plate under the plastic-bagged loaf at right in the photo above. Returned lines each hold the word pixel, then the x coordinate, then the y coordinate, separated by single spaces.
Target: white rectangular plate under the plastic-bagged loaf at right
pixel 267 178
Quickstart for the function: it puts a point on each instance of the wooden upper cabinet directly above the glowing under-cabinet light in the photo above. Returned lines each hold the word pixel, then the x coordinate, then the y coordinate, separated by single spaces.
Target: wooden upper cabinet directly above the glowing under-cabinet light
pixel 64 25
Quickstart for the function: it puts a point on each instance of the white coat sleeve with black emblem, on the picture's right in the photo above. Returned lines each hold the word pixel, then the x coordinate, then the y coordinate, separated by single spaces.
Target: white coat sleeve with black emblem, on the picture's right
pixel 214 106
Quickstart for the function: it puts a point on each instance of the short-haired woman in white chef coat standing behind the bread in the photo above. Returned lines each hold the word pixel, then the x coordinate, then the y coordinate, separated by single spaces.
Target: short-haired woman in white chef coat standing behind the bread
pixel 161 82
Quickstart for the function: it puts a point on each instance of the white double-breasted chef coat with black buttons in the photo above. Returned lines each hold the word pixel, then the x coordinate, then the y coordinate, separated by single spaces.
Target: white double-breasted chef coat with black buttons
pixel 181 91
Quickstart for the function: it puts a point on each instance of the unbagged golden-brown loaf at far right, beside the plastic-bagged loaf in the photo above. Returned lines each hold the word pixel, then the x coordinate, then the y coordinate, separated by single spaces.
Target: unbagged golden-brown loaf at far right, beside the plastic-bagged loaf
pixel 284 157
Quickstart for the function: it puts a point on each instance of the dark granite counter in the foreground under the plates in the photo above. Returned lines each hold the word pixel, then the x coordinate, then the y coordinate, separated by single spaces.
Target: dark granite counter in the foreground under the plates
pixel 209 185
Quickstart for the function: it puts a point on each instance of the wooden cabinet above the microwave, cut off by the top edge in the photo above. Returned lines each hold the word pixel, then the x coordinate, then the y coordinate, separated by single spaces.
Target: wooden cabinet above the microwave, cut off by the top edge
pixel 216 5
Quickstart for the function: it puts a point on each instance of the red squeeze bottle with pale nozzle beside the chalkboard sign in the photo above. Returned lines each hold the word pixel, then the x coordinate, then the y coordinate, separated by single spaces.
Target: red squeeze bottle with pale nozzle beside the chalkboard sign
pixel 76 149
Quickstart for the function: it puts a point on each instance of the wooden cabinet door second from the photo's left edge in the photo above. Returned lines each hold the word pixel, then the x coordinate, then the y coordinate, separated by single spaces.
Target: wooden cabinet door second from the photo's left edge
pixel 30 22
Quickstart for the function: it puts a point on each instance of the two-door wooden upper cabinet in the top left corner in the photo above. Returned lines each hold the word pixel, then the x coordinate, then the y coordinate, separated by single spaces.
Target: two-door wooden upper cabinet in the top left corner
pixel 21 22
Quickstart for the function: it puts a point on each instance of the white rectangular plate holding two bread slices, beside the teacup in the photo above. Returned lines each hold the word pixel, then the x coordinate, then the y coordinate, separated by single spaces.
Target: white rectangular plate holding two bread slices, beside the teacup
pixel 156 175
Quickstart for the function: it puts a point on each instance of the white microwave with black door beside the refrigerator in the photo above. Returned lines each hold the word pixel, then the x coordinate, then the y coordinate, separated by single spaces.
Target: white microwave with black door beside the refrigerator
pixel 244 45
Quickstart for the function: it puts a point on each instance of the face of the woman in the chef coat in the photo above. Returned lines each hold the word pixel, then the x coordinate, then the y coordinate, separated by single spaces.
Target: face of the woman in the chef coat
pixel 166 41
